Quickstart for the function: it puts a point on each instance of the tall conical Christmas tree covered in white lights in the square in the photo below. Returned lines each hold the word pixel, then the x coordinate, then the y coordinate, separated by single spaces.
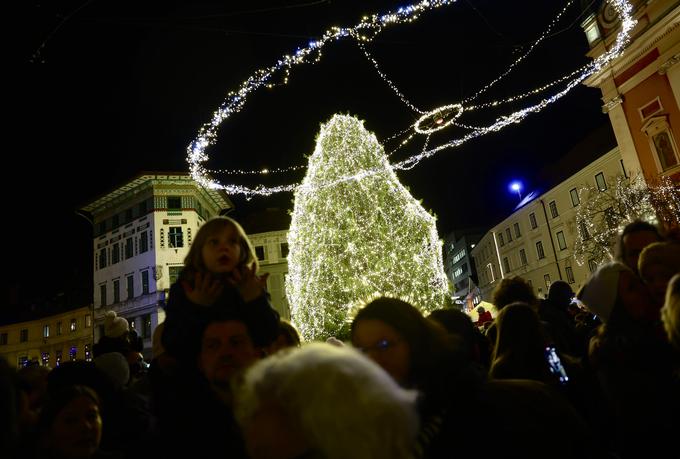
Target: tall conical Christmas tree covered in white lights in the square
pixel 356 232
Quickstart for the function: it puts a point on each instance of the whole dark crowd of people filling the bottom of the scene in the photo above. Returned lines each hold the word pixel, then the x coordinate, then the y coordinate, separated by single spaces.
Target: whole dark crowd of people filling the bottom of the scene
pixel 587 374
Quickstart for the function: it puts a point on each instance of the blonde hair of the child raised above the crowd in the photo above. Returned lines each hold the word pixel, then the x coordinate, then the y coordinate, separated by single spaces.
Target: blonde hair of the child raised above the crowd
pixel 194 262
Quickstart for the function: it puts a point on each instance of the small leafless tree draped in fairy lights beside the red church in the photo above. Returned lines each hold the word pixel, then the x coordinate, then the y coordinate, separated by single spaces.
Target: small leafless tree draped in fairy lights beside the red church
pixel 603 214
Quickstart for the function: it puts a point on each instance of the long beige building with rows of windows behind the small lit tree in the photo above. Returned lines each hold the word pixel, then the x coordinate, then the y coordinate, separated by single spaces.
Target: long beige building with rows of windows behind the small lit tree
pixel 536 242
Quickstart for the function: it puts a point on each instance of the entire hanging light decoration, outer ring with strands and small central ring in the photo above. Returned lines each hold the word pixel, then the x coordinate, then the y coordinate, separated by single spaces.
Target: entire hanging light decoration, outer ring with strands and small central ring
pixel 435 119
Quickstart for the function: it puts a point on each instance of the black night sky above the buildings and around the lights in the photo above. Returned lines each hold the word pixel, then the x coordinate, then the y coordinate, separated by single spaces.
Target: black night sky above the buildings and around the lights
pixel 109 89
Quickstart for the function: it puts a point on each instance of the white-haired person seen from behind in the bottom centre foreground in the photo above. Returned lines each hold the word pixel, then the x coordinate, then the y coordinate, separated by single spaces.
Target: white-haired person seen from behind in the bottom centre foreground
pixel 324 401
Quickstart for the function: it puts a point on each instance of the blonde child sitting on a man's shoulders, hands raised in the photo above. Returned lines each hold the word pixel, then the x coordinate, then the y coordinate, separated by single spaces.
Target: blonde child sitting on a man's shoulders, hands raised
pixel 220 274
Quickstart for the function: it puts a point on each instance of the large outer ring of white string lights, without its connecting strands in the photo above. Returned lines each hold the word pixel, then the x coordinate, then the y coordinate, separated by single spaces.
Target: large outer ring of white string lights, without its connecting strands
pixel 365 31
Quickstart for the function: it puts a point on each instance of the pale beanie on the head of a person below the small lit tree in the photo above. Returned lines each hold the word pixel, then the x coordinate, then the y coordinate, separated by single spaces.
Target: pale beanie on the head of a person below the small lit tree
pixel 600 291
